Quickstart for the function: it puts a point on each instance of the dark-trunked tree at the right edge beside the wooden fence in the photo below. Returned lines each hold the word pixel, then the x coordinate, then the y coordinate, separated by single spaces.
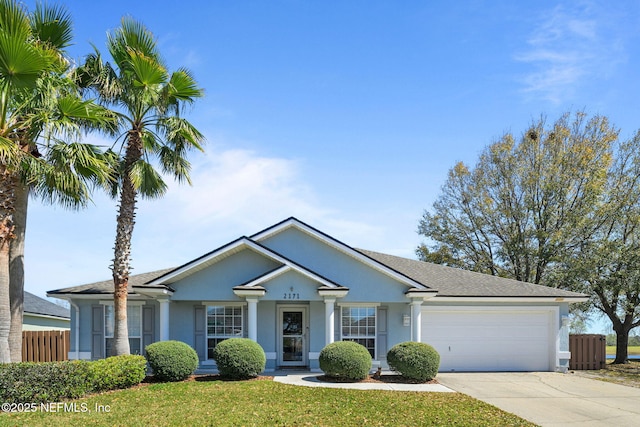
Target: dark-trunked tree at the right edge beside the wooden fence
pixel 606 266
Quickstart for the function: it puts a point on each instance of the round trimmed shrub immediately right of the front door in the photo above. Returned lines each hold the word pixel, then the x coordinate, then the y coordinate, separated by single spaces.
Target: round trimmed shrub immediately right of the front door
pixel 346 360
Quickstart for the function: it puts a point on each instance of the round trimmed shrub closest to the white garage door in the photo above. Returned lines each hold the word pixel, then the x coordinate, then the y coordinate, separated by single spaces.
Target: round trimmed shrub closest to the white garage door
pixel 414 360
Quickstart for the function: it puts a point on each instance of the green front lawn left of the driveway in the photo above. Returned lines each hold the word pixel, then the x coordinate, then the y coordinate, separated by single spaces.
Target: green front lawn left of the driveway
pixel 268 403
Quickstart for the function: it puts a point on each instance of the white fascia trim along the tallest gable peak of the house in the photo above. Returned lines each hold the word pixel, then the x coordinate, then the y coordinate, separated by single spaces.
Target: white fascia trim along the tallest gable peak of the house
pixel 292 222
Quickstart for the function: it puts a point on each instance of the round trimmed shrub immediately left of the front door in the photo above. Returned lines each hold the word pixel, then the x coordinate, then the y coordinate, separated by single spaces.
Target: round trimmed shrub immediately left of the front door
pixel 239 358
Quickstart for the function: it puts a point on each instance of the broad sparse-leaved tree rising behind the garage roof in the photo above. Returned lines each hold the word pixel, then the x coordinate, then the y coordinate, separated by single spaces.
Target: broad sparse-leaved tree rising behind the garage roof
pixel 525 204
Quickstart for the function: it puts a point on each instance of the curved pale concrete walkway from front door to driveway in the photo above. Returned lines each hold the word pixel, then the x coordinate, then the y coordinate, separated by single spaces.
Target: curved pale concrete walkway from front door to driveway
pixel 310 379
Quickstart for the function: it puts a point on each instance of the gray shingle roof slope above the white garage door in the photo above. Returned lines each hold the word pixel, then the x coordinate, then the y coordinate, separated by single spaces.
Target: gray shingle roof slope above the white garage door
pixel 455 282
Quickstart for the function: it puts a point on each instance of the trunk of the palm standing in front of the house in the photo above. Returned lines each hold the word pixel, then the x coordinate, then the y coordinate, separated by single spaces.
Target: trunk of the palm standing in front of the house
pixel 122 251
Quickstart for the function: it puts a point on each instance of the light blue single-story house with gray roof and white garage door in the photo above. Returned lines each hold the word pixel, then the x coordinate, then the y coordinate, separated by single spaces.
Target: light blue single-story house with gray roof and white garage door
pixel 294 289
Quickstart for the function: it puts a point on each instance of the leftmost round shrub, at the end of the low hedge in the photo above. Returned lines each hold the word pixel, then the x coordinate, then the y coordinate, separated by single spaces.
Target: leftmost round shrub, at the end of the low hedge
pixel 171 360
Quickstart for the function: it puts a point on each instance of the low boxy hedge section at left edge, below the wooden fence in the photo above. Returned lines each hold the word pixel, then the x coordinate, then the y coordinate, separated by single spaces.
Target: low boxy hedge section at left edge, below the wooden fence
pixel 44 382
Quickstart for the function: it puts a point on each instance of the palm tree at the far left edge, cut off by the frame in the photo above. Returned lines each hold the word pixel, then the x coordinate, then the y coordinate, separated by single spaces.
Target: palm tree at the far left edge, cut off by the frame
pixel 36 100
